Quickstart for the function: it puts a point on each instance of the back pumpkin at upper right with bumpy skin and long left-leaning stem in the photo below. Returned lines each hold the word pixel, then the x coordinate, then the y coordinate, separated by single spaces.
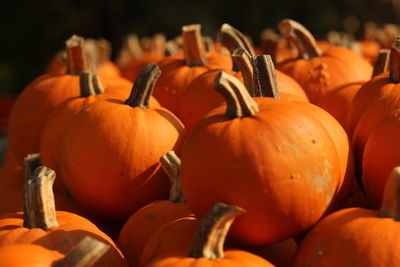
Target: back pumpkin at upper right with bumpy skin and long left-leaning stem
pixel 319 72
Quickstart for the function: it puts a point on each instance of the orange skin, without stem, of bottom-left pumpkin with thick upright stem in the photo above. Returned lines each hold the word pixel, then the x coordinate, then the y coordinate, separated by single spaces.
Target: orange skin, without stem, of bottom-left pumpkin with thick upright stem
pixel 71 230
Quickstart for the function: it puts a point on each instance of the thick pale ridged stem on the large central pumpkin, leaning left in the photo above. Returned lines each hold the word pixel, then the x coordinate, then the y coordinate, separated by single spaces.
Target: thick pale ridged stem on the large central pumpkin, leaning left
pixel 239 102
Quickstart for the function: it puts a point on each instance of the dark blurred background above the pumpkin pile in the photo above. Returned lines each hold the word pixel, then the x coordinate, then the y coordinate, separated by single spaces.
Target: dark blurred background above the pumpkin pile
pixel 32 31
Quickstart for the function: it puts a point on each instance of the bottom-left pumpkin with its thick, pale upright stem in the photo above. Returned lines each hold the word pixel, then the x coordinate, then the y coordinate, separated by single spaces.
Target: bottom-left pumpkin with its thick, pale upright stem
pixel 41 224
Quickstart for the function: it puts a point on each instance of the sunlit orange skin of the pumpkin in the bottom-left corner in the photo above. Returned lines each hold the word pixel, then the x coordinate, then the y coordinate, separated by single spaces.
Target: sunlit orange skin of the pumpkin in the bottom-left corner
pixel 28 255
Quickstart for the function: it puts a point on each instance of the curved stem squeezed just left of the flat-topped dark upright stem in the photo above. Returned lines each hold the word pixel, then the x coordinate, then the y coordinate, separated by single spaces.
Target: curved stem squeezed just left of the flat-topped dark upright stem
pixel 241 58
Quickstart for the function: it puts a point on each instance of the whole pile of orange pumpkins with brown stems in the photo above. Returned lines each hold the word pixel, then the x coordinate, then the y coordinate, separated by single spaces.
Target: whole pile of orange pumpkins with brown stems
pixel 193 152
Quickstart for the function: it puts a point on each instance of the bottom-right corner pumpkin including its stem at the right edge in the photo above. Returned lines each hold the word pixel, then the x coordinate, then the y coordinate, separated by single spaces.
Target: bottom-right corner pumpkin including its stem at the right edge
pixel 346 237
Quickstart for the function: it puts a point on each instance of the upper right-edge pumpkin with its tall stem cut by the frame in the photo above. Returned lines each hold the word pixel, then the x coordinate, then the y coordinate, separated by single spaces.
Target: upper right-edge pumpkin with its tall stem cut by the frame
pixel 377 87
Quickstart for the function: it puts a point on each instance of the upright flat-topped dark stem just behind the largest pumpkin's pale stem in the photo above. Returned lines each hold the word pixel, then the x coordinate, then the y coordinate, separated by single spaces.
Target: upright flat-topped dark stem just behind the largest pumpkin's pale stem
pixel 265 84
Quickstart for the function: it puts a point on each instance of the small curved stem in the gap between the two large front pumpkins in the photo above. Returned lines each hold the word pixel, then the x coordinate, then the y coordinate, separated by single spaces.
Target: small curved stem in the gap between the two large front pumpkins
pixel 172 167
